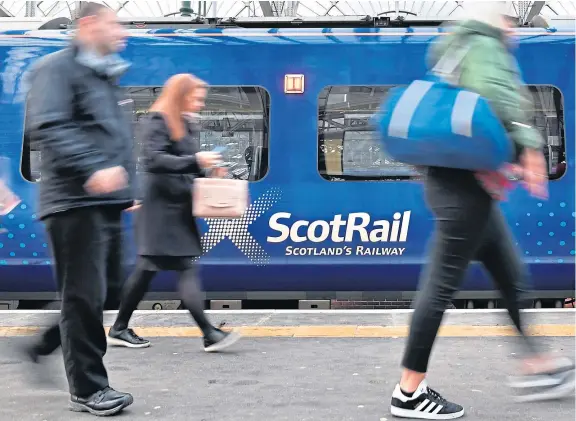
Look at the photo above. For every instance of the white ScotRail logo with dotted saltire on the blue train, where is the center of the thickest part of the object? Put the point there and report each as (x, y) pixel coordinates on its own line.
(355, 234)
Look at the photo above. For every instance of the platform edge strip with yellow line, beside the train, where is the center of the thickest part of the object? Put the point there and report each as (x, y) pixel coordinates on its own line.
(314, 323)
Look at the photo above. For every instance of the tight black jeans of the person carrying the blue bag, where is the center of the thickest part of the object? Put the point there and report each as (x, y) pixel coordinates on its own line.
(469, 225)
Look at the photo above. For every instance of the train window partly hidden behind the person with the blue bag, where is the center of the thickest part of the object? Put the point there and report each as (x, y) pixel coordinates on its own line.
(348, 148)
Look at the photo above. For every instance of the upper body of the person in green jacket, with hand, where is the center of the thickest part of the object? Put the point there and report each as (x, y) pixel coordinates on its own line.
(490, 70)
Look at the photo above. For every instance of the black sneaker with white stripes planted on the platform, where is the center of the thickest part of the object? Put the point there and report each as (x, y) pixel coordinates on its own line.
(424, 404)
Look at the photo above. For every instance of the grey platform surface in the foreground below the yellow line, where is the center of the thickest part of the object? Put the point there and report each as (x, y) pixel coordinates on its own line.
(283, 379)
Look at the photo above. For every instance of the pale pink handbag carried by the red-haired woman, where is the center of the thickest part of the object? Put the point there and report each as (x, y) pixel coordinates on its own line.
(219, 198)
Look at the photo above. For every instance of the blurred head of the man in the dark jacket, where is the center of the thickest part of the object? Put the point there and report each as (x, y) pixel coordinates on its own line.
(98, 28)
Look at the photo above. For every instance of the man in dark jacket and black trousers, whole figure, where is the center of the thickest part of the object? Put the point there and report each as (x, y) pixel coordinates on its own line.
(87, 170)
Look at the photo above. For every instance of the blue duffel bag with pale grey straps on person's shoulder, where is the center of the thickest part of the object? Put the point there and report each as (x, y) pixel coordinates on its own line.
(433, 122)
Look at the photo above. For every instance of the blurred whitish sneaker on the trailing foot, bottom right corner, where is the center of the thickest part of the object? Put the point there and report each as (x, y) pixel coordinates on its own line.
(556, 383)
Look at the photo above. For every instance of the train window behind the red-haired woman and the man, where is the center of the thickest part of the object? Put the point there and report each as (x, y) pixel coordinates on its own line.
(235, 116)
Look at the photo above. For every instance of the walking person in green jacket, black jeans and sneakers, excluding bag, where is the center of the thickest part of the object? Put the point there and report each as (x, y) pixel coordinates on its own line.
(469, 224)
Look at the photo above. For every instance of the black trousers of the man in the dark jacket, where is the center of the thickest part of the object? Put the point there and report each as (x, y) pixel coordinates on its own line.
(86, 244)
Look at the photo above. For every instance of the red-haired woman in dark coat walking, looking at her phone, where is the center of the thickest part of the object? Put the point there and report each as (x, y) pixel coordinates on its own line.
(166, 231)
